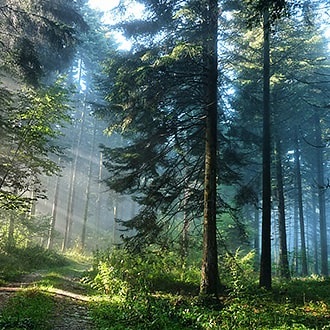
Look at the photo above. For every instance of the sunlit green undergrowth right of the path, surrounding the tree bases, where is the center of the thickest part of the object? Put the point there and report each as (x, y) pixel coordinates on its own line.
(155, 291)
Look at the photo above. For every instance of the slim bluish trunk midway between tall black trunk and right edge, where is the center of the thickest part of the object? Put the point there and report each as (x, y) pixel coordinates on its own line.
(304, 270)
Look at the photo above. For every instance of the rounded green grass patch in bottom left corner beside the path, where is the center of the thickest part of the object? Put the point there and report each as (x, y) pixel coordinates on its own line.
(27, 309)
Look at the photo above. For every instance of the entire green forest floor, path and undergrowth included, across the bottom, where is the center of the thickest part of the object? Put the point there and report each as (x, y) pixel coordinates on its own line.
(56, 297)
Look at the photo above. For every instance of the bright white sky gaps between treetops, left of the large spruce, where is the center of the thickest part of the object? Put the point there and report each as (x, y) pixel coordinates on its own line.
(134, 11)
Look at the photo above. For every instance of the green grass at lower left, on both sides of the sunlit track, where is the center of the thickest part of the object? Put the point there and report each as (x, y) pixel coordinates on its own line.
(34, 307)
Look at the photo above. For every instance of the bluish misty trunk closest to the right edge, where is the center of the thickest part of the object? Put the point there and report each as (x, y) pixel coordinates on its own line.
(321, 196)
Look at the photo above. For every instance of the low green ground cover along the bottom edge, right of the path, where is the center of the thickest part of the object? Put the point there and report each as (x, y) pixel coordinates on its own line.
(252, 310)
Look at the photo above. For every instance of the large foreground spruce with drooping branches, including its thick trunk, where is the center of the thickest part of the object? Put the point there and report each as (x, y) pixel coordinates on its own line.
(163, 98)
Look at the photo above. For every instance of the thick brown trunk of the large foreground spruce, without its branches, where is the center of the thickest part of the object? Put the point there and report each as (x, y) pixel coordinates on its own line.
(210, 283)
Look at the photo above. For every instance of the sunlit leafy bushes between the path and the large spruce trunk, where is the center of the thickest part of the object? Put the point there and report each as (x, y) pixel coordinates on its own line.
(121, 273)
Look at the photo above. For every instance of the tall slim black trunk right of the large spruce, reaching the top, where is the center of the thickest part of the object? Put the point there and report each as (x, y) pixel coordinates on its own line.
(265, 279)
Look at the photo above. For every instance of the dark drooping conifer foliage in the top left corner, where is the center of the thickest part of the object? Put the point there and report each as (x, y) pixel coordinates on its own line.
(38, 37)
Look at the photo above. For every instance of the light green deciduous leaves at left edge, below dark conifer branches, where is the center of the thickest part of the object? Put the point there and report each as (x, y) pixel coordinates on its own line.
(32, 122)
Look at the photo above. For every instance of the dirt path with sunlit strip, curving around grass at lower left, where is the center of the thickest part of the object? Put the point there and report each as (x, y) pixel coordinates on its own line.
(71, 310)
